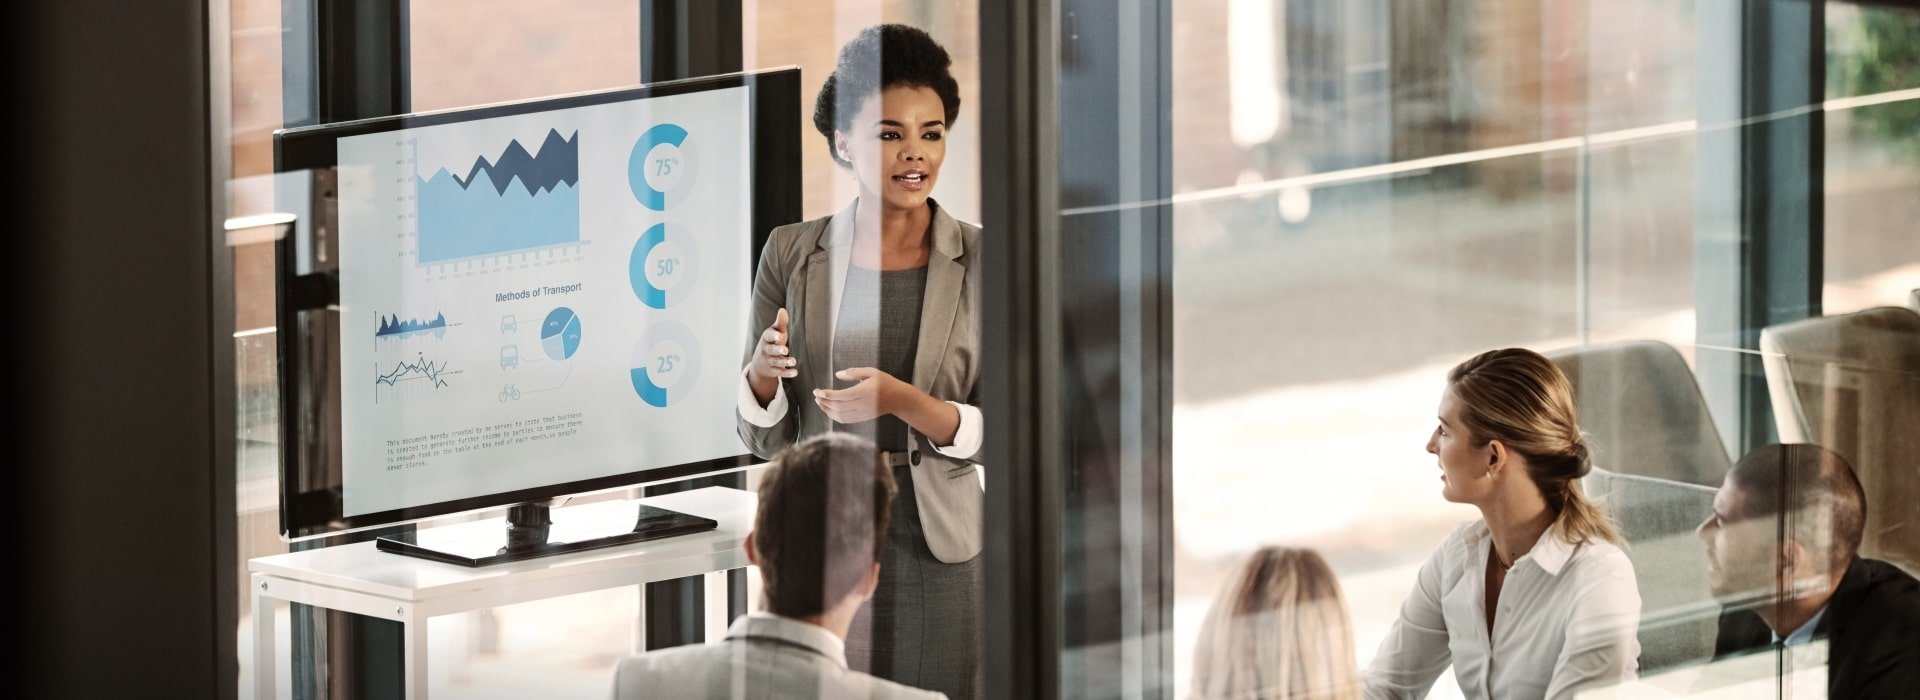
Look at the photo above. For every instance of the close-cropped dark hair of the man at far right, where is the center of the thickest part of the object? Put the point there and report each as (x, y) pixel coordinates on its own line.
(1813, 490)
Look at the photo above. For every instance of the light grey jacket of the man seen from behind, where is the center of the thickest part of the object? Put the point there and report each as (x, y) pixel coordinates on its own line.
(763, 657)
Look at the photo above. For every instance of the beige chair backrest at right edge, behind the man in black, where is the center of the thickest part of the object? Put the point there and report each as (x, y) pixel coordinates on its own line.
(1852, 385)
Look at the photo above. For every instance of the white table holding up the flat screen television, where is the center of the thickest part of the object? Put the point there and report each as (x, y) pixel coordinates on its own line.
(362, 580)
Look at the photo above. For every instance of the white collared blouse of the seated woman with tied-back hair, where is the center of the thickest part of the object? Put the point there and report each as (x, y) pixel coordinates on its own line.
(1568, 622)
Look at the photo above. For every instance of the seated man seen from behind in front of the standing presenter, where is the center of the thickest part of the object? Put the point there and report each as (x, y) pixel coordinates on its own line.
(817, 538)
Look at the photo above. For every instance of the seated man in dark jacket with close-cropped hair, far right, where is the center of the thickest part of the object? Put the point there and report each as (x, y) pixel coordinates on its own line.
(1781, 549)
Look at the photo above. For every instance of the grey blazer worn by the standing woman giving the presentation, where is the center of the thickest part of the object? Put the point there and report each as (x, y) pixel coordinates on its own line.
(802, 269)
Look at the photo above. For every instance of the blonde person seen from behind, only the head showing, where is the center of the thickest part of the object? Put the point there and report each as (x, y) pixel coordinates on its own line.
(1278, 630)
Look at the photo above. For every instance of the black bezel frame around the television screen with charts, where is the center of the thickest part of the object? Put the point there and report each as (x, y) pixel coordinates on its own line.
(775, 147)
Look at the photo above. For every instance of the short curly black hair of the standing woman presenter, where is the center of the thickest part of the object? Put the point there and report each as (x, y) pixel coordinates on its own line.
(880, 58)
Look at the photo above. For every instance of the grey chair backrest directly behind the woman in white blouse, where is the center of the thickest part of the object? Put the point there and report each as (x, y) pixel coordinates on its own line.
(1644, 413)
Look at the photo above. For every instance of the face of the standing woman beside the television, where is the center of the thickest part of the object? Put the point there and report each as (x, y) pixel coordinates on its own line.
(898, 145)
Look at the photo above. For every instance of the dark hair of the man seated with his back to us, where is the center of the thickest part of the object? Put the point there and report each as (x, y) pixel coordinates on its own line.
(823, 523)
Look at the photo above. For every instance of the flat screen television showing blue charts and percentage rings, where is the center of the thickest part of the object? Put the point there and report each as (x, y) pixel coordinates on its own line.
(512, 304)
